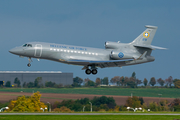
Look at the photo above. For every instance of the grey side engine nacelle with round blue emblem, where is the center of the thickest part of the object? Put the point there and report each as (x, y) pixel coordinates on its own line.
(117, 55)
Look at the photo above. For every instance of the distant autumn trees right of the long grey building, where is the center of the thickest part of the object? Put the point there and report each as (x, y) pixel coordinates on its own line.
(131, 82)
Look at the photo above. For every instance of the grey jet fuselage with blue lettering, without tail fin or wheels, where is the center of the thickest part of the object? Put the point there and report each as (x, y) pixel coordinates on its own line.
(65, 53)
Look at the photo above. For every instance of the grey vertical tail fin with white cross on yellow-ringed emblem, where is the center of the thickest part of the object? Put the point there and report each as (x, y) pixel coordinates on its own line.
(146, 37)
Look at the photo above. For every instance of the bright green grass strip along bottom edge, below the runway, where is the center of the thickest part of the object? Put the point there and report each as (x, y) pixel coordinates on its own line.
(88, 117)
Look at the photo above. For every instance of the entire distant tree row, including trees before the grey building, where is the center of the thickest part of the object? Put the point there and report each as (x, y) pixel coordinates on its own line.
(119, 81)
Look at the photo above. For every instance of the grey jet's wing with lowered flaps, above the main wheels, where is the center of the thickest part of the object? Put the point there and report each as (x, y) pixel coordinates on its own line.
(102, 64)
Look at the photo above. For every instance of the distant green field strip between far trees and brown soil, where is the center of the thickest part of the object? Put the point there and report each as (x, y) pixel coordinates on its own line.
(144, 92)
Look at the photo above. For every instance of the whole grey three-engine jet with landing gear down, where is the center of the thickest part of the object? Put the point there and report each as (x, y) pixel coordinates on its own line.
(115, 54)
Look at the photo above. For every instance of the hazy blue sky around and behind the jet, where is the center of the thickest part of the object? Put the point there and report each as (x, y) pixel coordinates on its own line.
(91, 23)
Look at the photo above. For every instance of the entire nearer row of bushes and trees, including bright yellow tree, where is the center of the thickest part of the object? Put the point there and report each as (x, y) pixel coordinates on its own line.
(33, 104)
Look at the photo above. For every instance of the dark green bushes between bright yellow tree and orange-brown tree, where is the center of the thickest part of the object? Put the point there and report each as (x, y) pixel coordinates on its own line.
(102, 103)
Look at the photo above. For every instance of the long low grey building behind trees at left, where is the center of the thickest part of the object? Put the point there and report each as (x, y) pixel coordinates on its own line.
(29, 76)
